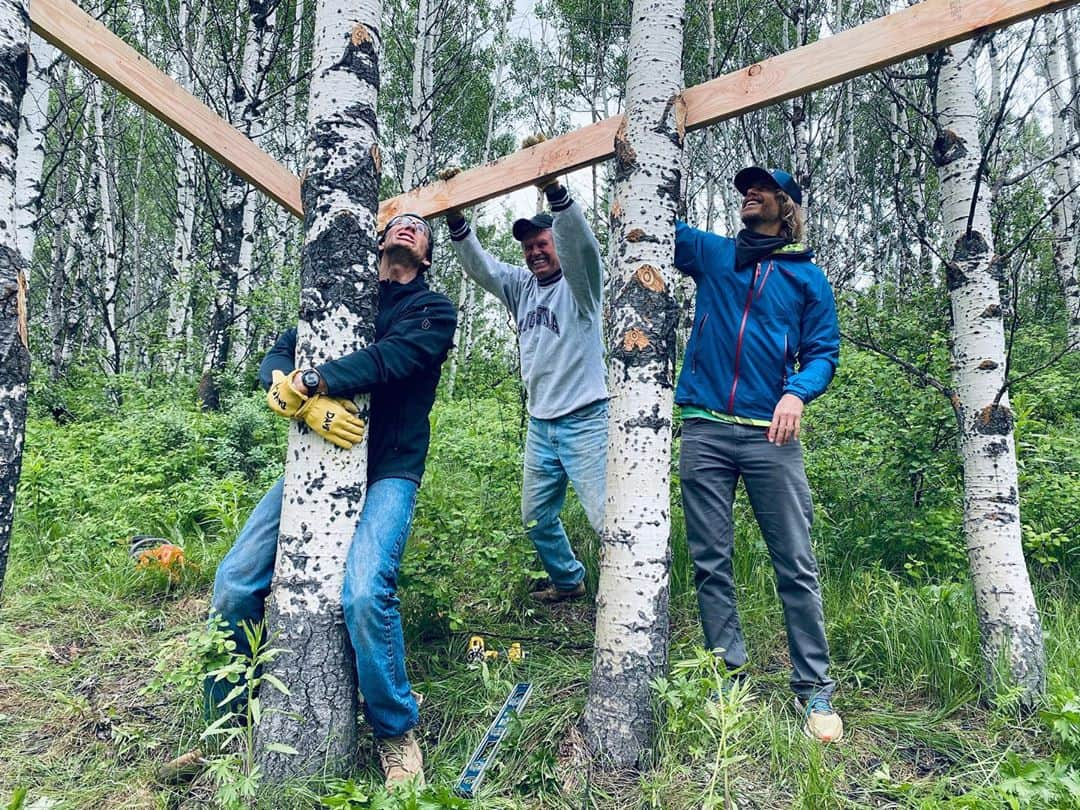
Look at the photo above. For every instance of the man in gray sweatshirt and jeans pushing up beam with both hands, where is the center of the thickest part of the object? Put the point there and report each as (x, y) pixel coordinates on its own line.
(556, 301)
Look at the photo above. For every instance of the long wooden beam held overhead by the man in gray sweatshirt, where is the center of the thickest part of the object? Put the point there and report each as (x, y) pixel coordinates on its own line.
(915, 31)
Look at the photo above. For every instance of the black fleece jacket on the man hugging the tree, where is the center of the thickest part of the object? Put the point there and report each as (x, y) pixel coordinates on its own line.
(414, 331)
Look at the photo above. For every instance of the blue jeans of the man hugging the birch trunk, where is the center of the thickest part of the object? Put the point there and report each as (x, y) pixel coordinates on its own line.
(368, 598)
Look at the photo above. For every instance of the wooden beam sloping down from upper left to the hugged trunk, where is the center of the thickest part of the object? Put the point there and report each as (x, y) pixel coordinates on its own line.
(102, 52)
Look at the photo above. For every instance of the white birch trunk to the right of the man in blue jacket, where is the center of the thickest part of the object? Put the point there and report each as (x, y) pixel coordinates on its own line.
(1009, 622)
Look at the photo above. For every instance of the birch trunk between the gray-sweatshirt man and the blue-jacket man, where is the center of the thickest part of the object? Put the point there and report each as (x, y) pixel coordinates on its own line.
(632, 627)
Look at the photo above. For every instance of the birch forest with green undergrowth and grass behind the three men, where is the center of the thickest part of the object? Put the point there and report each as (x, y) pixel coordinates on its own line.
(158, 279)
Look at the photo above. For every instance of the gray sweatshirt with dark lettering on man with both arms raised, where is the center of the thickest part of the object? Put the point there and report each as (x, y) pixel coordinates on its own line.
(559, 319)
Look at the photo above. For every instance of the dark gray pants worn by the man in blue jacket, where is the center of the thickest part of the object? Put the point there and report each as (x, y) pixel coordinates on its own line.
(714, 456)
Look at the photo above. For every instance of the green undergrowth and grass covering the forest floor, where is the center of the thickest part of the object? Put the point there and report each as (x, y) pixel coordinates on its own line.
(100, 680)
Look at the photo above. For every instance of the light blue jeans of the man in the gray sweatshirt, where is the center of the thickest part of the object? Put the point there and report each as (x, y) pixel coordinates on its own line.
(571, 448)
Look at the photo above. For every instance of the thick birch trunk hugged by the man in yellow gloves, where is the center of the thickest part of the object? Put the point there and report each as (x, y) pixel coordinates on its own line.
(326, 487)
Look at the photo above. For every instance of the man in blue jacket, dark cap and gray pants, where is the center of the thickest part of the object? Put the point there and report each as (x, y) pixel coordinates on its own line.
(765, 343)
